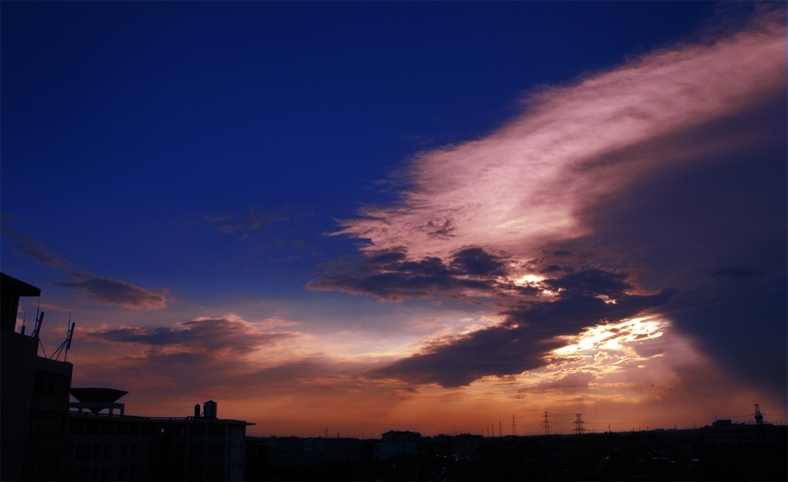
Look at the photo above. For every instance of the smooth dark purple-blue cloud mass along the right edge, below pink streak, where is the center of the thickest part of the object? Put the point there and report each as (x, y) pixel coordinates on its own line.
(716, 229)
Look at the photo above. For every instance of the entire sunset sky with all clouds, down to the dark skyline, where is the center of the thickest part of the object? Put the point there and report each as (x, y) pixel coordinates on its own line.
(364, 216)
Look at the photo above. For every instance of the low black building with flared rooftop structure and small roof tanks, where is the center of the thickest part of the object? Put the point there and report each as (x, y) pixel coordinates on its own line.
(104, 445)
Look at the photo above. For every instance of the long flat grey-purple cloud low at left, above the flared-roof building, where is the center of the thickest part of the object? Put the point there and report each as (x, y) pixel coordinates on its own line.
(202, 335)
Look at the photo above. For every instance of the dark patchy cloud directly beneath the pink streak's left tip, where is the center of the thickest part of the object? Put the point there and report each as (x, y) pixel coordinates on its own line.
(387, 275)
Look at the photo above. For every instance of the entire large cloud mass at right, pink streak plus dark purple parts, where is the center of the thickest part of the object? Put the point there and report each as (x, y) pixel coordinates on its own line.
(655, 187)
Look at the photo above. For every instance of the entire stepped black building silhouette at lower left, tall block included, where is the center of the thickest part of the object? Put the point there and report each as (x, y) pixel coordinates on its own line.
(45, 437)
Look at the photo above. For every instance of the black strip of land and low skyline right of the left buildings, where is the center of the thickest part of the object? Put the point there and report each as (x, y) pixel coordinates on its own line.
(654, 455)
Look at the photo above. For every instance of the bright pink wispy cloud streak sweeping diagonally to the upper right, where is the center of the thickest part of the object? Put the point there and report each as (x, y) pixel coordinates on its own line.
(530, 182)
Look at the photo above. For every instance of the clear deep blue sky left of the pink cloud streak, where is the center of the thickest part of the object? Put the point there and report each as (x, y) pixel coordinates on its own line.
(133, 122)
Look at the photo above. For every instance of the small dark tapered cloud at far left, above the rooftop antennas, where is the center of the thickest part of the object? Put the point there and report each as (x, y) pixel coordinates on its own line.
(114, 292)
